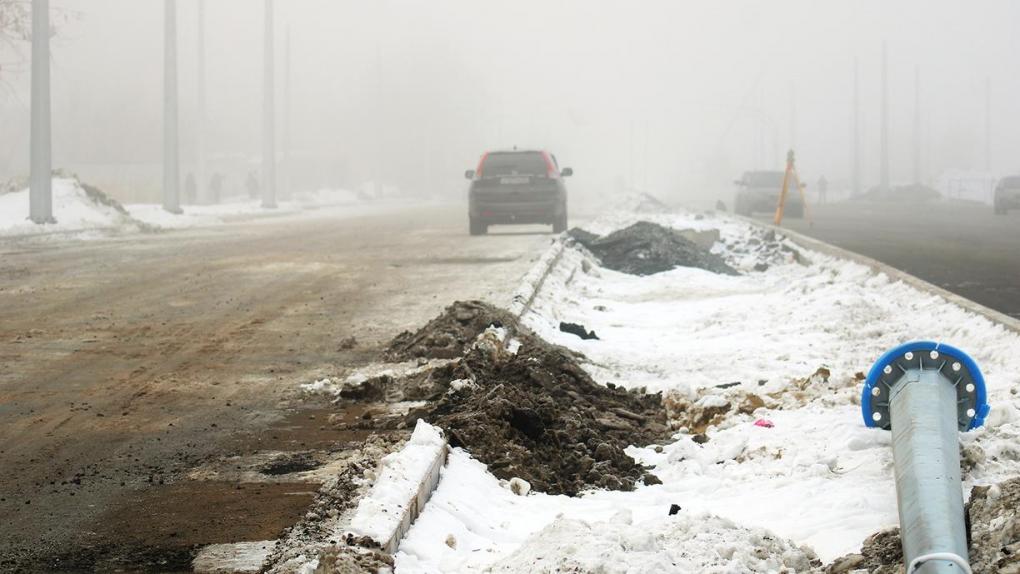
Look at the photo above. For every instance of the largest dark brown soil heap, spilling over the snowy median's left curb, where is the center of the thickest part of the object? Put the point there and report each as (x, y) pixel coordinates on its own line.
(537, 415)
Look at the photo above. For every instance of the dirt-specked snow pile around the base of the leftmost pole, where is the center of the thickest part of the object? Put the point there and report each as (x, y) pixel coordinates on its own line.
(76, 208)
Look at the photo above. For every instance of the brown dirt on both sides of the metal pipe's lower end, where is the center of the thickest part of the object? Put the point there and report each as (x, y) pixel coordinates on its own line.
(994, 533)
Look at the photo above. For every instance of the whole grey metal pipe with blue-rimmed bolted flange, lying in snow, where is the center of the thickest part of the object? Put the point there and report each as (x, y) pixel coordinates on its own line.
(927, 393)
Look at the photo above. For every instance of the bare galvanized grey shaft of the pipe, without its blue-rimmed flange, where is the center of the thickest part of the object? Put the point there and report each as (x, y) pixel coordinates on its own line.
(926, 450)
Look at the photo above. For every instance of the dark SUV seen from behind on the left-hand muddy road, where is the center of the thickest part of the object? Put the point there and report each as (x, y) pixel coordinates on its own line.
(518, 187)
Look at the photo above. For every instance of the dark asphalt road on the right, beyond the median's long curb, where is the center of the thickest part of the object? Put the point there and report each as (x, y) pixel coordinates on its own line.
(961, 247)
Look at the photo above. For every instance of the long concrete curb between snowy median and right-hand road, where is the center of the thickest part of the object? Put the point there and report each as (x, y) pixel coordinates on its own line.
(805, 242)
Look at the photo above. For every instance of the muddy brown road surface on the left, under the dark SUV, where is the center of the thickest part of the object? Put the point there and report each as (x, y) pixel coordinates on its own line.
(125, 362)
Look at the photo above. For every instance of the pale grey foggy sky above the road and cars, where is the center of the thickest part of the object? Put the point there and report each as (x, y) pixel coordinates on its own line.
(673, 97)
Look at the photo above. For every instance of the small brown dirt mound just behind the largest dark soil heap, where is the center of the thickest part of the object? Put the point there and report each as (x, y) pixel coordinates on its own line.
(449, 336)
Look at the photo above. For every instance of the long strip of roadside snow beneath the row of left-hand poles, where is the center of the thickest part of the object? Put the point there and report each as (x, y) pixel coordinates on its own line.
(87, 214)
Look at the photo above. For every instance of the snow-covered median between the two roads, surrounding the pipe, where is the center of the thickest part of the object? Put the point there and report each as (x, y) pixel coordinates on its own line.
(797, 337)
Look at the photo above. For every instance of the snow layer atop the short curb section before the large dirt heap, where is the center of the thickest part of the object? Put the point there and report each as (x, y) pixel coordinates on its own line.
(381, 513)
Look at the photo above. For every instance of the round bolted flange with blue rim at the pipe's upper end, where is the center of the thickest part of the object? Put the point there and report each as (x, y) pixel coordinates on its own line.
(954, 364)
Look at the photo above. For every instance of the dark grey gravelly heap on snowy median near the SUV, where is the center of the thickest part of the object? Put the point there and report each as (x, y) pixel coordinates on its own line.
(646, 249)
